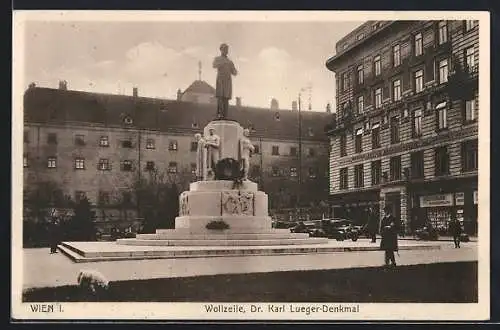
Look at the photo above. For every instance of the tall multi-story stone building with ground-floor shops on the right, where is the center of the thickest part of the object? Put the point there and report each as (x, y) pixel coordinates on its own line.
(406, 132)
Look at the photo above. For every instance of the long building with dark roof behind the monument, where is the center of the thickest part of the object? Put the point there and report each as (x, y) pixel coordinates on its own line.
(97, 145)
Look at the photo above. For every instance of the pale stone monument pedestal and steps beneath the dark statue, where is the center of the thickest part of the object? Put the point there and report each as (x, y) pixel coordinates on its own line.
(223, 212)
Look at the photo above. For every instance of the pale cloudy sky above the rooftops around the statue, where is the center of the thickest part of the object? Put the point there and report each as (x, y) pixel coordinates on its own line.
(273, 59)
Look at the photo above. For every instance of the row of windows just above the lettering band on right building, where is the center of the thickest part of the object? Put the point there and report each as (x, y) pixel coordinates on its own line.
(441, 123)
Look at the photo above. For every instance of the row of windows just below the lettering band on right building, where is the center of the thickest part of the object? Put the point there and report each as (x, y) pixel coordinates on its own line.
(469, 156)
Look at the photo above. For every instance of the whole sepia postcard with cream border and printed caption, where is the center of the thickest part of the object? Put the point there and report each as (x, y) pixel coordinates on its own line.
(198, 165)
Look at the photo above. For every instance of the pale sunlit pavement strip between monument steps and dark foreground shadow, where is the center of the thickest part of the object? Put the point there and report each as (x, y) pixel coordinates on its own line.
(42, 269)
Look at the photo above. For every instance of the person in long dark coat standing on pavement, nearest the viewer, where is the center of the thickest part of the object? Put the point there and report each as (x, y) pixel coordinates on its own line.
(389, 229)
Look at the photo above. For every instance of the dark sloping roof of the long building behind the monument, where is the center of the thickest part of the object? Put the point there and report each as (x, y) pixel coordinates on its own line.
(54, 106)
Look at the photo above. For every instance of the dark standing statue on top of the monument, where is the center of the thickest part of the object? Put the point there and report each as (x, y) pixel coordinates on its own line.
(224, 87)
